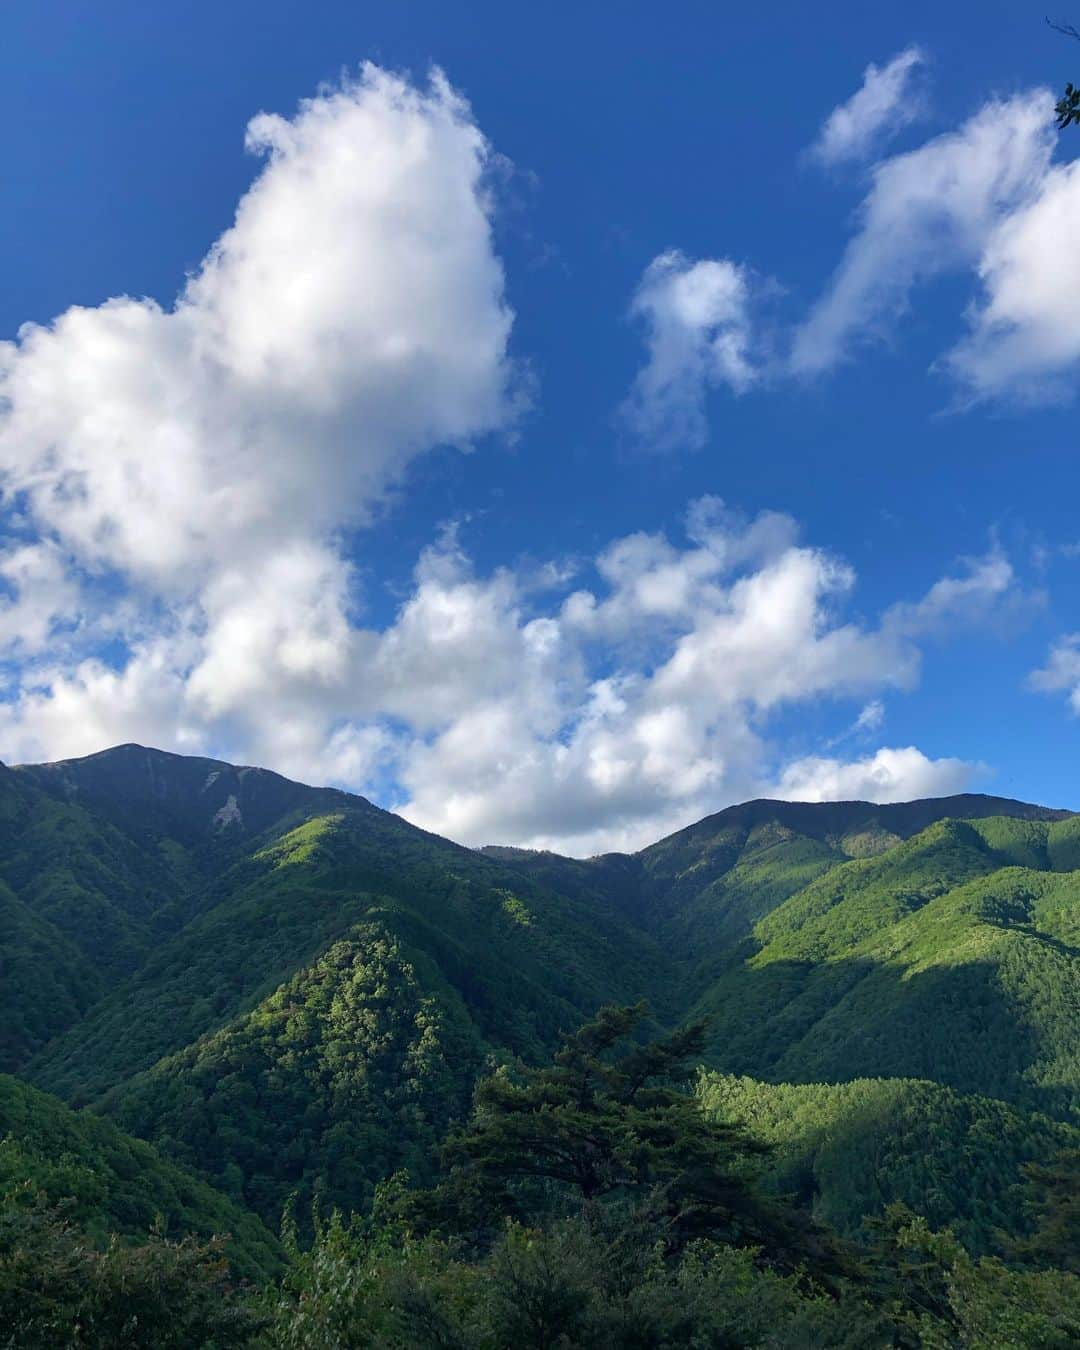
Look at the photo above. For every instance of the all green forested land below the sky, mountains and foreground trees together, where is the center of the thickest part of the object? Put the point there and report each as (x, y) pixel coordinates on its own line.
(281, 1070)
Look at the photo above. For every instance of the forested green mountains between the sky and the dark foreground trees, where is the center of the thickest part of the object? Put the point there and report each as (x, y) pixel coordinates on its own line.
(292, 994)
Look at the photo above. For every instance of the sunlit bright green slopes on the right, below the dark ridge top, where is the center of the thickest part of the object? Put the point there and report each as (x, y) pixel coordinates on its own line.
(932, 961)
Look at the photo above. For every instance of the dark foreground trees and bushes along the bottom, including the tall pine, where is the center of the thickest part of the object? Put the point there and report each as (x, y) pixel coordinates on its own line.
(584, 1205)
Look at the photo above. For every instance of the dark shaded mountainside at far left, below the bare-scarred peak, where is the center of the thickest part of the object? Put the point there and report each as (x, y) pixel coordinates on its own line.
(106, 858)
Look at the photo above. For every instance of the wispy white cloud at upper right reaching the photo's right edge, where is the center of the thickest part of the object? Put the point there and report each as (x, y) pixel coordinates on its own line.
(986, 200)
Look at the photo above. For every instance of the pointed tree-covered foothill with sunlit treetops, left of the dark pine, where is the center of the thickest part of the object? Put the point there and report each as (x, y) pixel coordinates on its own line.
(350, 1071)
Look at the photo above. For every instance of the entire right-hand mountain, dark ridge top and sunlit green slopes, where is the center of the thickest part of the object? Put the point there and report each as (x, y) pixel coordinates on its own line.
(846, 940)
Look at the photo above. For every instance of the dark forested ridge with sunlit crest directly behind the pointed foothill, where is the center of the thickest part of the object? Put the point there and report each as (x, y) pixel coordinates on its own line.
(527, 961)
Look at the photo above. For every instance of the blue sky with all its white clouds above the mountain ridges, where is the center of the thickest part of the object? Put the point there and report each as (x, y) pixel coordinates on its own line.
(331, 512)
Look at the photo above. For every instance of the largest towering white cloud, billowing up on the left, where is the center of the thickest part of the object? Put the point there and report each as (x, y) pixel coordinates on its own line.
(202, 460)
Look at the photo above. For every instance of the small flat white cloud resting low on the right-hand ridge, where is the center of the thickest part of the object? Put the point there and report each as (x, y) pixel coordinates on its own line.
(889, 776)
